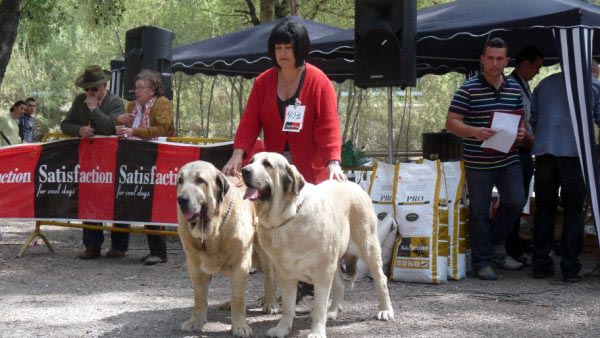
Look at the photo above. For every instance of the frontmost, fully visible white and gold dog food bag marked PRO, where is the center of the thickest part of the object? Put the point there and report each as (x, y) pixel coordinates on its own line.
(420, 252)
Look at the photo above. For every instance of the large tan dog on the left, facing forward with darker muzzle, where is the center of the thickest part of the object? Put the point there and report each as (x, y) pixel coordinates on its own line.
(217, 230)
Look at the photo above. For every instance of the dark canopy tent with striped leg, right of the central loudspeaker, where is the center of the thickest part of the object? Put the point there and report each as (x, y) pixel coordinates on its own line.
(451, 36)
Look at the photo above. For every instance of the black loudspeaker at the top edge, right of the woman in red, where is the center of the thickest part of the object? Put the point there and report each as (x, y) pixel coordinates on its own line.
(384, 32)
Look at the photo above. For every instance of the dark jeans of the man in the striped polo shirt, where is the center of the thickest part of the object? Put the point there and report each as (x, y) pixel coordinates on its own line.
(484, 235)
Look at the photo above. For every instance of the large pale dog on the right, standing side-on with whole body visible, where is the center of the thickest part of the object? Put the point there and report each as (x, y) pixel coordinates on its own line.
(306, 229)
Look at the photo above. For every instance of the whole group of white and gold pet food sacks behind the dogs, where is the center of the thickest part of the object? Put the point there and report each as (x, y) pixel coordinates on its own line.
(426, 201)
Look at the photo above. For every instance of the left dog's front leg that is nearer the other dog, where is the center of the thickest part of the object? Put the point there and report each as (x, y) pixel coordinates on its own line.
(238, 280)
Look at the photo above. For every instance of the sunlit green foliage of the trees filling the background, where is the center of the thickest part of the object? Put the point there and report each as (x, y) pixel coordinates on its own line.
(58, 38)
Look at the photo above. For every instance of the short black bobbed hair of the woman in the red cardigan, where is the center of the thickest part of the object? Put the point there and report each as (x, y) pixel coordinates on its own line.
(289, 31)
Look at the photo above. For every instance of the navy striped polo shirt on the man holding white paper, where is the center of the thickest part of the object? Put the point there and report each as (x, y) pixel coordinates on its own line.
(477, 100)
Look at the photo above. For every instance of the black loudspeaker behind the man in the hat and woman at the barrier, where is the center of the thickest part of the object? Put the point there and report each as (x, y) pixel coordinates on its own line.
(148, 47)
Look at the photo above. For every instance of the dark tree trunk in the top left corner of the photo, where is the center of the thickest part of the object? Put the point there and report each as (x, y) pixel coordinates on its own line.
(10, 14)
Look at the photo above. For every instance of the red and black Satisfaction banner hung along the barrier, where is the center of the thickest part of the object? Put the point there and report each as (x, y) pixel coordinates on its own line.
(98, 179)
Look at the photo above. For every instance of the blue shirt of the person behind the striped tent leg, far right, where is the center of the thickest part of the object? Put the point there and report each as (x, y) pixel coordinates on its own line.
(551, 118)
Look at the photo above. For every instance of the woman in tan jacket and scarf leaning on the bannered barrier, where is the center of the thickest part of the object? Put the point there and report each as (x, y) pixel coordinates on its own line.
(148, 117)
